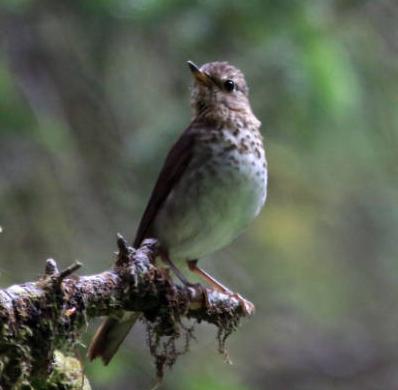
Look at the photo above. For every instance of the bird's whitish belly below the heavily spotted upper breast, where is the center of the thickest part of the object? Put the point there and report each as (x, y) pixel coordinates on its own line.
(211, 206)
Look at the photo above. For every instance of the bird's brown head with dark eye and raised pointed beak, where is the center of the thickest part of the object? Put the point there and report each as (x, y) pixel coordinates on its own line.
(220, 88)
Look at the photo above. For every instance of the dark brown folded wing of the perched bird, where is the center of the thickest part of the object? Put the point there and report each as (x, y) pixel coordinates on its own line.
(177, 160)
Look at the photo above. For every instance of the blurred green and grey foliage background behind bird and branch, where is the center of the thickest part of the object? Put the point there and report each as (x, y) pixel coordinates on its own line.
(92, 95)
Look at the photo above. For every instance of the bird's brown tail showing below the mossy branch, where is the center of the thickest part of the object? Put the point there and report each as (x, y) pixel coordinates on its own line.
(110, 335)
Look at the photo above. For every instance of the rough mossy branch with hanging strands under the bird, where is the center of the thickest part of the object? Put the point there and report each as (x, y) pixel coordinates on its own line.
(38, 318)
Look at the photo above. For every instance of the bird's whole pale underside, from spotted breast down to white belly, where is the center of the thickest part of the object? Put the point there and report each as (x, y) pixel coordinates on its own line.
(221, 191)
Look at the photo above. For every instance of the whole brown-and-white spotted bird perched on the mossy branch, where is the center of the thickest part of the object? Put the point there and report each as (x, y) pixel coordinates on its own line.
(213, 183)
